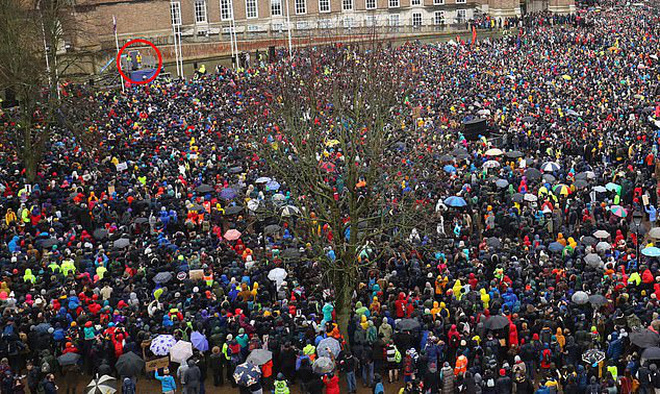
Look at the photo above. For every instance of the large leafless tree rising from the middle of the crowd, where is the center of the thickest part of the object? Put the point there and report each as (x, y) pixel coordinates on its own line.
(336, 139)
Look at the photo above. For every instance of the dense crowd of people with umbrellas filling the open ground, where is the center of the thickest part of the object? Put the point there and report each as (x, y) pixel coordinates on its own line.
(541, 273)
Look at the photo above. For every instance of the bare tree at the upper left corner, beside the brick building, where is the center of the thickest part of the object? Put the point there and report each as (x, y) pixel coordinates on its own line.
(32, 34)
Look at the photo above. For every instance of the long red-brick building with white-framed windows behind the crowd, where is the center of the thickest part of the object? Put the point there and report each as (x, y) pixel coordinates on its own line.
(205, 25)
